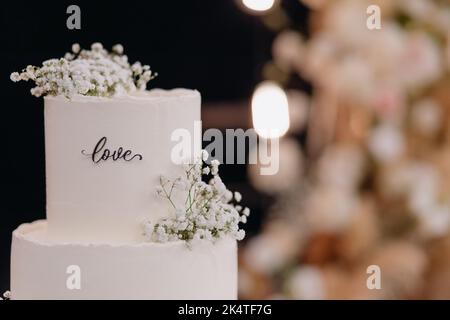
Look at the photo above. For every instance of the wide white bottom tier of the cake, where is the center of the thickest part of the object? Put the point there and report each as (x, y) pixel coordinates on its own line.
(41, 269)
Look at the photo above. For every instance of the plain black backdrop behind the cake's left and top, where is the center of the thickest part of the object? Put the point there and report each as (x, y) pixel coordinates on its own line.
(211, 46)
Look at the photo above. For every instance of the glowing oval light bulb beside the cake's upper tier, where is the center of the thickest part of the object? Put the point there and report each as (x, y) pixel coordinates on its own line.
(270, 110)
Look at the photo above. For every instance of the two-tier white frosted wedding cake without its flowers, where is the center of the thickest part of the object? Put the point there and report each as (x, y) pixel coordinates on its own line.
(104, 158)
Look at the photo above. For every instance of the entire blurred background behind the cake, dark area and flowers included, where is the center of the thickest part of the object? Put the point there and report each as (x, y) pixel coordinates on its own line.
(364, 173)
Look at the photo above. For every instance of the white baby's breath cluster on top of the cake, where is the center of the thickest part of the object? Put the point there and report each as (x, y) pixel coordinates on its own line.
(94, 72)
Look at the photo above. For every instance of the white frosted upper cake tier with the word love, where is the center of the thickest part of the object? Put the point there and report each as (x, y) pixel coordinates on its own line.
(105, 202)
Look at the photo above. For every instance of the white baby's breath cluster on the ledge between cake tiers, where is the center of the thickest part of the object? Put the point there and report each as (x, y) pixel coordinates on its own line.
(210, 211)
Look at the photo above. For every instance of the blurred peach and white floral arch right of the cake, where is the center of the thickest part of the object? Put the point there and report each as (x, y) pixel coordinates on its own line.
(373, 182)
